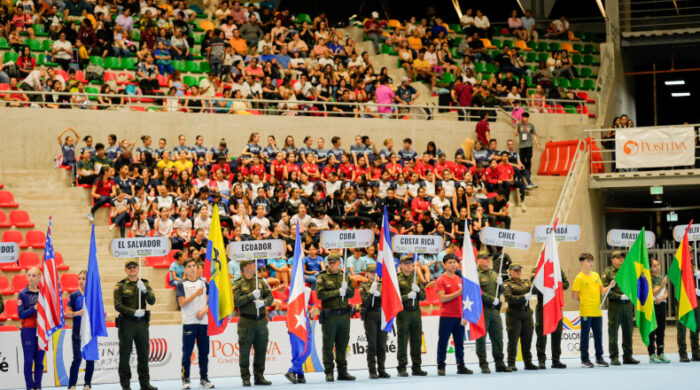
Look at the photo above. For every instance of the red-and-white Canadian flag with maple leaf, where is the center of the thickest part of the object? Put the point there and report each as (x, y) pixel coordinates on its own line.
(548, 281)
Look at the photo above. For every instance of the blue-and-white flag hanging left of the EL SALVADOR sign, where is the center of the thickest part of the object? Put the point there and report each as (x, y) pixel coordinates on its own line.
(92, 323)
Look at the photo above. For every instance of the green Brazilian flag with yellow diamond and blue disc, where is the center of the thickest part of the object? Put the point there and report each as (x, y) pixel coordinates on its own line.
(634, 280)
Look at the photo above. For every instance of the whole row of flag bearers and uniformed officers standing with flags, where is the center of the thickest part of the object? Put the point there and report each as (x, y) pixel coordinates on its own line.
(469, 291)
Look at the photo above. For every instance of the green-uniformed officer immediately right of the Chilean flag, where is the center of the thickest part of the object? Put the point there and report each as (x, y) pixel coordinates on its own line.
(490, 282)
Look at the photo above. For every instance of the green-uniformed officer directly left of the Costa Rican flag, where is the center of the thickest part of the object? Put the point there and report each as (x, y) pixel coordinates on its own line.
(371, 294)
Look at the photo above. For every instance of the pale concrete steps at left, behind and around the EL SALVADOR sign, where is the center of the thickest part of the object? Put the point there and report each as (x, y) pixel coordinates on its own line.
(45, 192)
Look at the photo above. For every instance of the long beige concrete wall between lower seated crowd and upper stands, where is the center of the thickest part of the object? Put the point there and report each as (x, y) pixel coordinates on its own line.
(29, 135)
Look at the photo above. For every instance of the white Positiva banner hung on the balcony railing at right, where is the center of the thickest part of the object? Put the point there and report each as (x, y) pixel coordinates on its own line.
(651, 147)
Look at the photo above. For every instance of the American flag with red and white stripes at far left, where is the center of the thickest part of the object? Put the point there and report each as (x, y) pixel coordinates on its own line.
(50, 307)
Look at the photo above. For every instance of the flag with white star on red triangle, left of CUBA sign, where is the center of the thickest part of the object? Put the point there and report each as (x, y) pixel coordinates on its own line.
(298, 324)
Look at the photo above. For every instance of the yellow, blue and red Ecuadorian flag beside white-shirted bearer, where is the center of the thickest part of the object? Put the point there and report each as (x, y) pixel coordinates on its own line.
(216, 273)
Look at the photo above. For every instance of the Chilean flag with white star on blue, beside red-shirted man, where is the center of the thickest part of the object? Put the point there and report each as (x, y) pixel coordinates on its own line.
(472, 306)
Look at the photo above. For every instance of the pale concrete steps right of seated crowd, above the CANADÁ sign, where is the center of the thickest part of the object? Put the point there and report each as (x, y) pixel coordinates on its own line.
(540, 204)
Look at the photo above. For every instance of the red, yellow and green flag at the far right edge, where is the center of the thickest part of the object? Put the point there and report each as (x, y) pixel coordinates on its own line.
(680, 273)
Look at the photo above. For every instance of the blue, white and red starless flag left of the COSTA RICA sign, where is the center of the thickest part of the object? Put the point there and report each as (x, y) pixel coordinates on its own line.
(386, 270)
